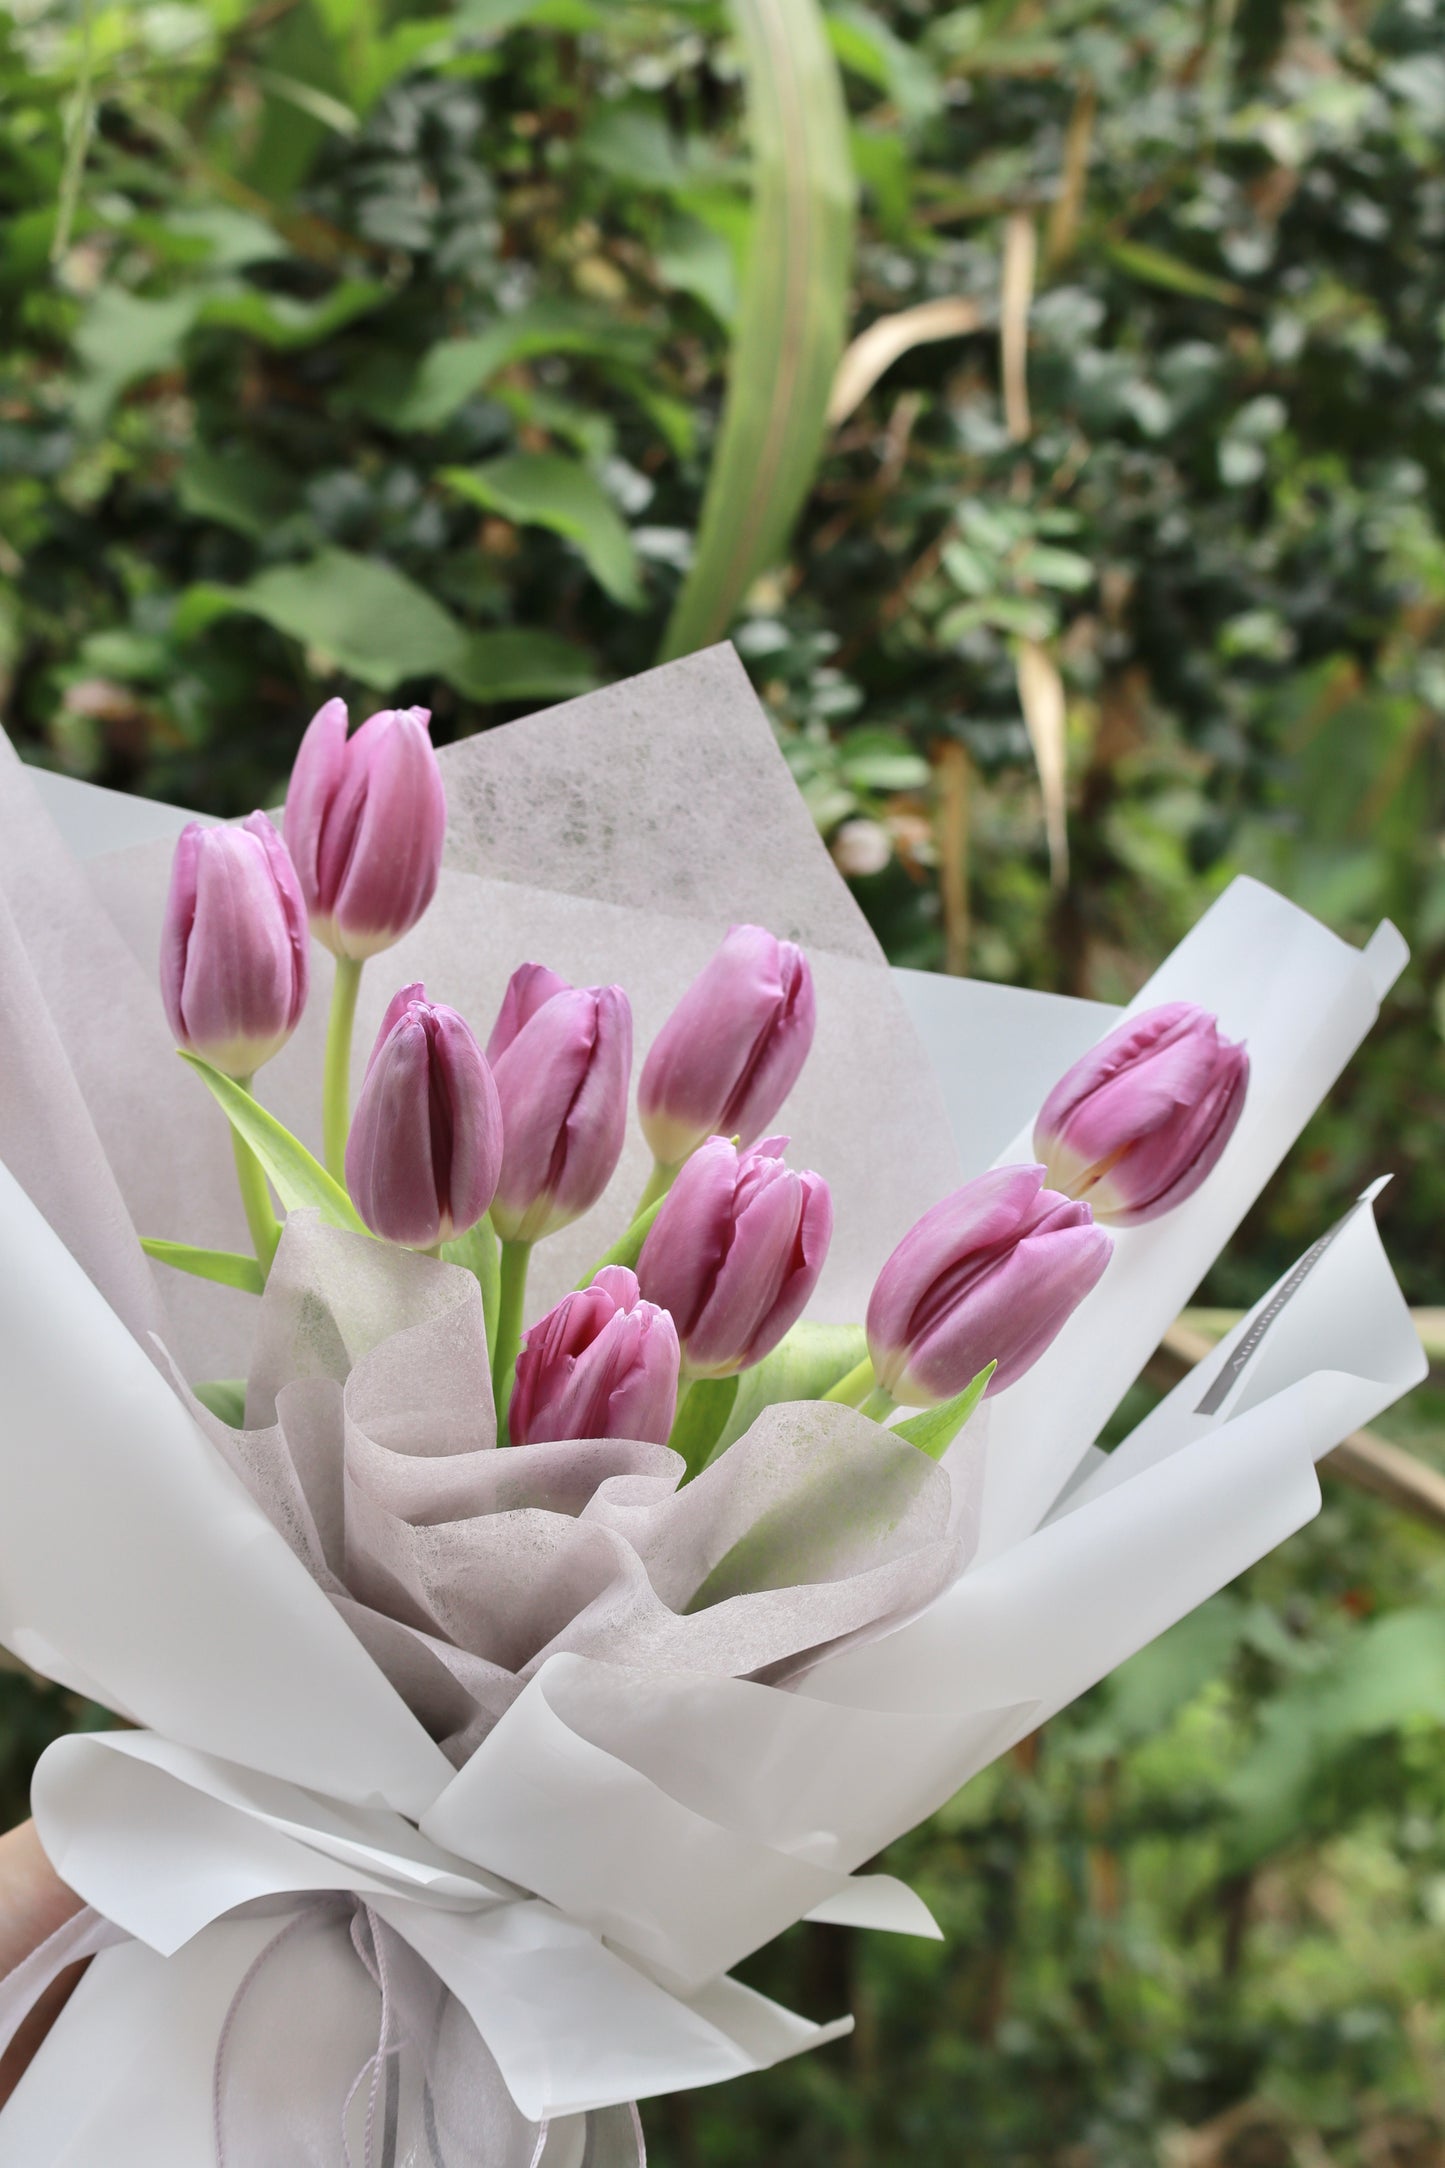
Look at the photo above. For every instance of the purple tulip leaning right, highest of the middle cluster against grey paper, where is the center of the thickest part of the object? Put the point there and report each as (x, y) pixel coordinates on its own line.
(731, 1053)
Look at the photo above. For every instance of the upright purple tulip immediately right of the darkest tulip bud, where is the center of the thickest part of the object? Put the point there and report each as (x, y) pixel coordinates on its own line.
(562, 1061)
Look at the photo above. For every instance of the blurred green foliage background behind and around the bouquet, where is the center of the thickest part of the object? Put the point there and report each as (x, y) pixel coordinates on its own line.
(378, 350)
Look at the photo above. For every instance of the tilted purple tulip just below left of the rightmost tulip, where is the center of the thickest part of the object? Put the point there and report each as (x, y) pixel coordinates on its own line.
(989, 1276)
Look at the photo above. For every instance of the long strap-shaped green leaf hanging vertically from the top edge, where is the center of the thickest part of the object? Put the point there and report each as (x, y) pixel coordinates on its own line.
(792, 318)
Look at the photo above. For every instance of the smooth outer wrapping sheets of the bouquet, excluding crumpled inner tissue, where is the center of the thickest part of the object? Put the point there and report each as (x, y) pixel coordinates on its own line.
(621, 1837)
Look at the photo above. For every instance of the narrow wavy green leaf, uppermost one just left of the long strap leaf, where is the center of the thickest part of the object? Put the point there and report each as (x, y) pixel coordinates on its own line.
(458, 367)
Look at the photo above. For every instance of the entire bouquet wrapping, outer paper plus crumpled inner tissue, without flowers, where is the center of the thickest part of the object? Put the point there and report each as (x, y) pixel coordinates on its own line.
(463, 1779)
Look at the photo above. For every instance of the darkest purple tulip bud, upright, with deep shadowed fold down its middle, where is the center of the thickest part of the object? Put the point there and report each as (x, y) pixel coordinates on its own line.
(428, 1135)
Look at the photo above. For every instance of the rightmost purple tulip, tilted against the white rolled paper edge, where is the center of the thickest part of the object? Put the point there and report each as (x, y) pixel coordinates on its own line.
(1145, 1115)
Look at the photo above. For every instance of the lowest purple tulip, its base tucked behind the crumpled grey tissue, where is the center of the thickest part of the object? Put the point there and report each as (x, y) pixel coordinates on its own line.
(603, 1365)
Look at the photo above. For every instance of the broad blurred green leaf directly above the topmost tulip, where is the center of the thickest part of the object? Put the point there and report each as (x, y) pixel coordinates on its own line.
(367, 617)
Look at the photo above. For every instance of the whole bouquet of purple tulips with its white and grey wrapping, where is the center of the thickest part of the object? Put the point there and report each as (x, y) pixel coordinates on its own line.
(543, 1543)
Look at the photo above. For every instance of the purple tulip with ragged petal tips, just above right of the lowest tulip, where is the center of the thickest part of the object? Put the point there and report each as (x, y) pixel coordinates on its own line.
(735, 1254)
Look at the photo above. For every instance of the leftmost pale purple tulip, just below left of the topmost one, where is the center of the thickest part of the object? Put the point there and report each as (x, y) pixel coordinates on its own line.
(235, 962)
